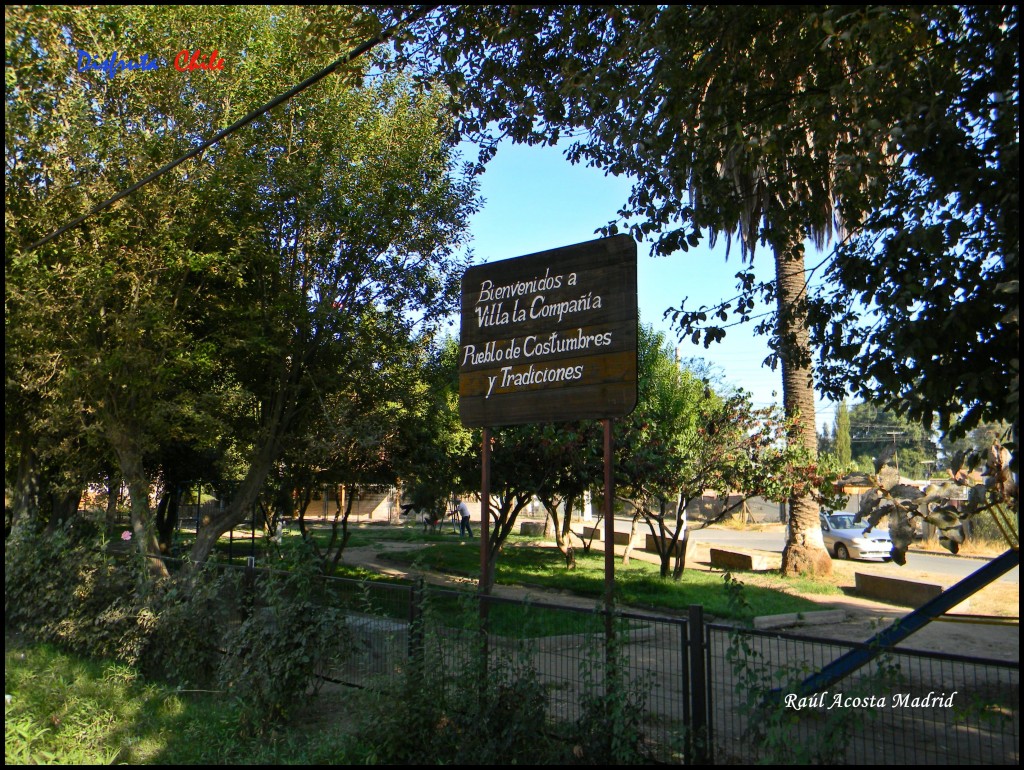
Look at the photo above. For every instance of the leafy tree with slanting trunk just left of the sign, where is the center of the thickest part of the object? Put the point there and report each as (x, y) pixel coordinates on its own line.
(352, 247)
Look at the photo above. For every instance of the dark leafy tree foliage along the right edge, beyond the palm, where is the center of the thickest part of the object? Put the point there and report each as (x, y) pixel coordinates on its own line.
(924, 319)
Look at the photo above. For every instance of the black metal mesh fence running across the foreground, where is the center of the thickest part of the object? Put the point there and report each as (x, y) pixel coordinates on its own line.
(709, 693)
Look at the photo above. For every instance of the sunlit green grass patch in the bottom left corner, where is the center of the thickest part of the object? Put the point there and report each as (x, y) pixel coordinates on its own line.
(62, 709)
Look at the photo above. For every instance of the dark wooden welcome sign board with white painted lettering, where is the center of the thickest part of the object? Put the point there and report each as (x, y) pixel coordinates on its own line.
(550, 336)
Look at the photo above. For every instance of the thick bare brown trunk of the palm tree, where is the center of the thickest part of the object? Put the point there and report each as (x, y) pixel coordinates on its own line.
(805, 551)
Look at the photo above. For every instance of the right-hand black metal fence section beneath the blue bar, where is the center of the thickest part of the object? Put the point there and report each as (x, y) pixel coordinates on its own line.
(904, 708)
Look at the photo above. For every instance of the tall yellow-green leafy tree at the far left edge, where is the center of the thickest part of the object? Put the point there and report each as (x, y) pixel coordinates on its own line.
(108, 312)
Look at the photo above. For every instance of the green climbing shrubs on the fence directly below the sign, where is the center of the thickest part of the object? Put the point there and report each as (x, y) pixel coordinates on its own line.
(486, 709)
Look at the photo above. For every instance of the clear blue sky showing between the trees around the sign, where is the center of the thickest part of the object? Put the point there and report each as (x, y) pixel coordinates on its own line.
(535, 200)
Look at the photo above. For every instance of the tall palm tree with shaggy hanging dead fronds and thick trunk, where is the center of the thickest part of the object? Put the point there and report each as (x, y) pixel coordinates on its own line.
(749, 131)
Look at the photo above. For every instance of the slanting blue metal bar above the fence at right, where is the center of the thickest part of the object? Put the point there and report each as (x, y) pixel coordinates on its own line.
(902, 629)
